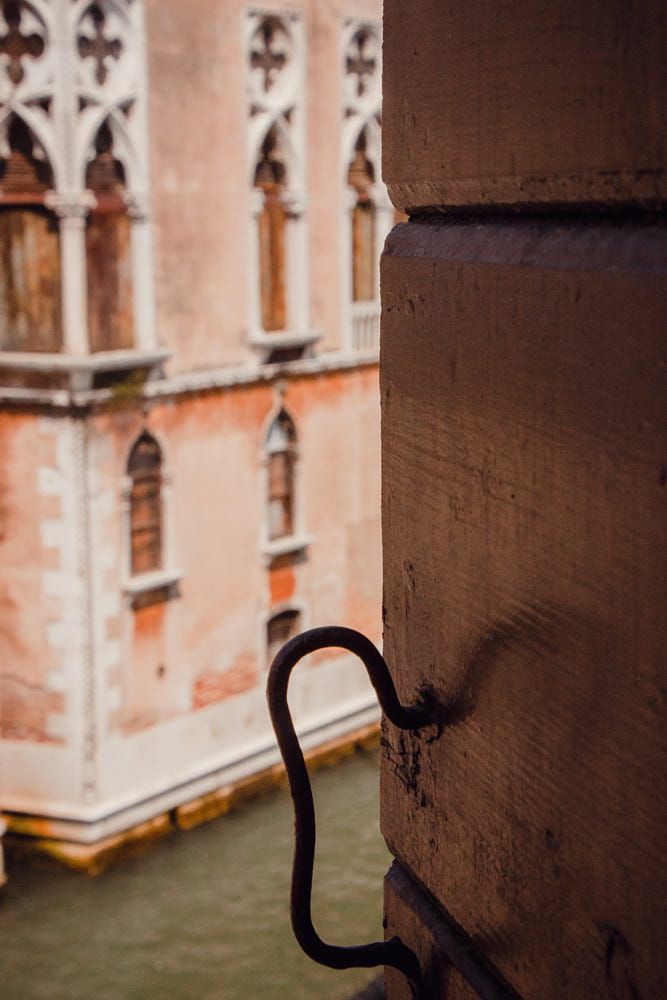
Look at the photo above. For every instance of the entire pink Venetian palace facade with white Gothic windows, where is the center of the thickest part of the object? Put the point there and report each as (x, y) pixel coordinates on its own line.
(191, 215)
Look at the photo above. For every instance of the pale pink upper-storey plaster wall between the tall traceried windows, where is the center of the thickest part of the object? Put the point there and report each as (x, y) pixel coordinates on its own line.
(198, 127)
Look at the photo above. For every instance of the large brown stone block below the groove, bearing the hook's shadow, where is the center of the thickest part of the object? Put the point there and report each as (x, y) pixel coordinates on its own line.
(523, 496)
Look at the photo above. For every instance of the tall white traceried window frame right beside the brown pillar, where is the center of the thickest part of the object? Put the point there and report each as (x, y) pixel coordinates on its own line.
(361, 320)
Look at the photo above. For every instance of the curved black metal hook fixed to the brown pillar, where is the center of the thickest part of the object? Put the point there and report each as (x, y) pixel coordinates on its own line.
(392, 952)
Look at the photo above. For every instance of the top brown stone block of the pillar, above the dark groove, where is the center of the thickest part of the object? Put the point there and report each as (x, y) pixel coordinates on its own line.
(535, 102)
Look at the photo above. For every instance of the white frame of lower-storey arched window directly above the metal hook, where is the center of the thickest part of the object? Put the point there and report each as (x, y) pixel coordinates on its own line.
(297, 543)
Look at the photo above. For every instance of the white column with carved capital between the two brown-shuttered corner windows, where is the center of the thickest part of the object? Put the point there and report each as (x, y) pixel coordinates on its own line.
(72, 212)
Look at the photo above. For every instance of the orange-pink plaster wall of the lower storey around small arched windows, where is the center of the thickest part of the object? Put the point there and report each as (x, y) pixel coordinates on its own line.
(209, 643)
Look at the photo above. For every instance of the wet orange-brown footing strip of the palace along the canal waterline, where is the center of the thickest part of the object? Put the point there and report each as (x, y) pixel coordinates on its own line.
(24, 843)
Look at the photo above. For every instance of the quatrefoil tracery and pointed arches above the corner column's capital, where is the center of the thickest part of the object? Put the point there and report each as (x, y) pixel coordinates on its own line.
(66, 91)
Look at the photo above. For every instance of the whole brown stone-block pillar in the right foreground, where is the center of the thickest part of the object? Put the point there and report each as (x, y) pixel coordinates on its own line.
(523, 442)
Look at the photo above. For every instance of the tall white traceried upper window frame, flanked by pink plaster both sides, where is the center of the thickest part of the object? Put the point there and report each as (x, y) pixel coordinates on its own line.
(284, 108)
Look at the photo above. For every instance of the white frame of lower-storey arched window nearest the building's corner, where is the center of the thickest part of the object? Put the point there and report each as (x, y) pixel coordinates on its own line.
(138, 586)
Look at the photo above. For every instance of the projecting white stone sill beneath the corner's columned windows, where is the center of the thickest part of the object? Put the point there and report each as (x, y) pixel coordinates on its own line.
(77, 372)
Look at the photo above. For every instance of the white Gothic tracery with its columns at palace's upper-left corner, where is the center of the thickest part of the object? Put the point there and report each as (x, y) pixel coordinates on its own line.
(65, 103)
